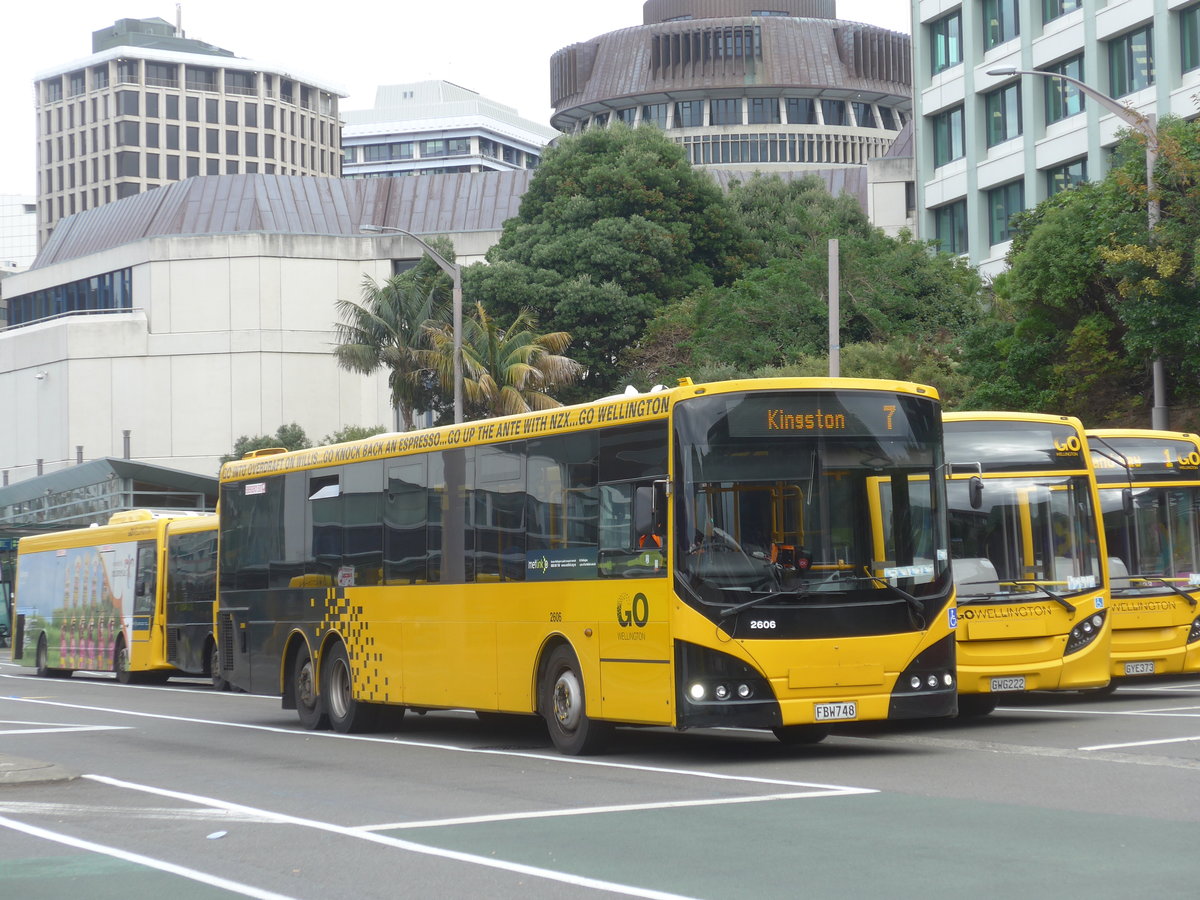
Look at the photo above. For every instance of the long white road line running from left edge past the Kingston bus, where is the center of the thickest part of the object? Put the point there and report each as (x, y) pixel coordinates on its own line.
(431, 746)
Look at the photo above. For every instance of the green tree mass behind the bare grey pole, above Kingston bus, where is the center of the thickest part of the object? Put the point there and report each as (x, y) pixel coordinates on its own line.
(778, 315)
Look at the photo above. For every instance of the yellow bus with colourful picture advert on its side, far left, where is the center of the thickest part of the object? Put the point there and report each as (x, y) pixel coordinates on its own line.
(134, 597)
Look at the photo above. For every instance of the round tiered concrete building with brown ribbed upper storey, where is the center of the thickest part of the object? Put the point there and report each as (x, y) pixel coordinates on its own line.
(775, 85)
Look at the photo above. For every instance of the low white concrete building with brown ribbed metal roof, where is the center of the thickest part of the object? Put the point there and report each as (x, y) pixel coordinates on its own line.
(203, 311)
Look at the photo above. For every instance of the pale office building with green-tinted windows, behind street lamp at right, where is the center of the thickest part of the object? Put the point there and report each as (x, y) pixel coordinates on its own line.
(992, 146)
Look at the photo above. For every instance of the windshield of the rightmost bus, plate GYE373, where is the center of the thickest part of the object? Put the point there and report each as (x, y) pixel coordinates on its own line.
(1161, 538)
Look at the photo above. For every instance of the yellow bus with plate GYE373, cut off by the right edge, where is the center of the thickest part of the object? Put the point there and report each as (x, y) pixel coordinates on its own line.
(1150, 497)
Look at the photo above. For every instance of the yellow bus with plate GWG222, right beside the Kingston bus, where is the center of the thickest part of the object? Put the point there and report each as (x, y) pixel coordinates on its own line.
(1028, 549)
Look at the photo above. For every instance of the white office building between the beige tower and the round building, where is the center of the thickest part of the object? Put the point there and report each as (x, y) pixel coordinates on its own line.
(437, 128)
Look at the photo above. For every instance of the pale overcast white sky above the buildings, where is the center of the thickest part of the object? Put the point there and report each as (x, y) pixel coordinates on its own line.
(501, 51)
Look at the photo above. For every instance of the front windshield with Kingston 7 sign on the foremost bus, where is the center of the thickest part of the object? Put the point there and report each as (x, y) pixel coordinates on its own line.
(809, 497)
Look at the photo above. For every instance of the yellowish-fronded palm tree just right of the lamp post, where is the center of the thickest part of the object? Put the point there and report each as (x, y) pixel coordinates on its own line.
(507, 370)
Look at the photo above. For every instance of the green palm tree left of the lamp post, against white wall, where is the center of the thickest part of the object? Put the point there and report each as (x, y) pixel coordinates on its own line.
(391, 328)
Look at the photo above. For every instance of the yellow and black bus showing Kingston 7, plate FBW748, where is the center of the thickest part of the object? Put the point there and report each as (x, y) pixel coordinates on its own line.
(704, 556)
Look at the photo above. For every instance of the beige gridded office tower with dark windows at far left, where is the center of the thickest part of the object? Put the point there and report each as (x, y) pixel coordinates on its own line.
(151, 107)
